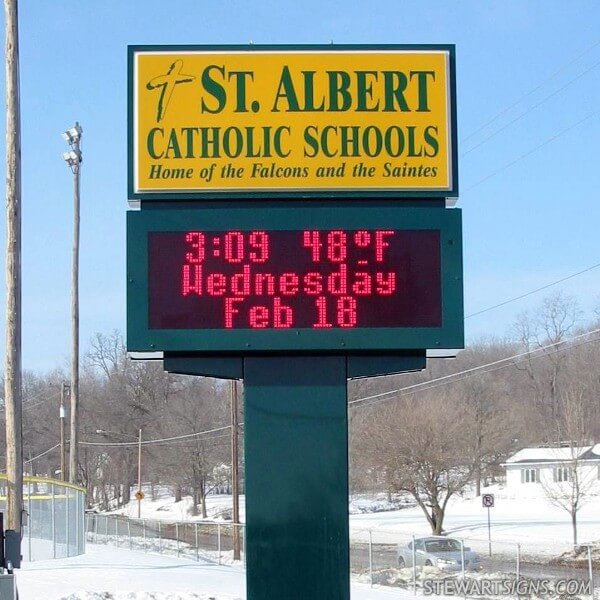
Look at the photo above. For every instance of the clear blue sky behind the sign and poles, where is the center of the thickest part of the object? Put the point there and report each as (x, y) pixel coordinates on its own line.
(529, 190)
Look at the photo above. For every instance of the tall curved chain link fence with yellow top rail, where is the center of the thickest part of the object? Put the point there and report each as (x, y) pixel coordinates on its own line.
(55, 524)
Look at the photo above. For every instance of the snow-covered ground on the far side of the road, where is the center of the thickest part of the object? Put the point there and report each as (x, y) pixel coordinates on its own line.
(538, 526)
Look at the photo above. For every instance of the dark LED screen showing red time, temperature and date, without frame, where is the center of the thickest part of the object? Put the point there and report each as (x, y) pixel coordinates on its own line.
(315, 279)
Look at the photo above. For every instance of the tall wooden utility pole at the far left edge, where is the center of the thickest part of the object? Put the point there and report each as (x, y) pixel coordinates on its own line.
(12, 365)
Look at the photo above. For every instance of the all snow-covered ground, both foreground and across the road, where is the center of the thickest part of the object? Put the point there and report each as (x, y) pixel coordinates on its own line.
(112, 573)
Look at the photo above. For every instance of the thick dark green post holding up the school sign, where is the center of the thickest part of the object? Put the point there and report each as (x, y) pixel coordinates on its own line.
(296, 442)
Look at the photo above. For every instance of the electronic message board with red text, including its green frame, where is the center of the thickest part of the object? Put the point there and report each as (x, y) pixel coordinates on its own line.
(202, 280)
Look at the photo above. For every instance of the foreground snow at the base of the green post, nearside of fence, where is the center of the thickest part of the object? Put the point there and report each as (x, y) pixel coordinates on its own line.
(109, 573)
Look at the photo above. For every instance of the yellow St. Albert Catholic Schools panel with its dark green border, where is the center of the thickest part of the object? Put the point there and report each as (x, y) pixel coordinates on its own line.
(302, 121)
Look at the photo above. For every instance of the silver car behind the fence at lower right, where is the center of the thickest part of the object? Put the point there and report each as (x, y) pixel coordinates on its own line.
(437, 551)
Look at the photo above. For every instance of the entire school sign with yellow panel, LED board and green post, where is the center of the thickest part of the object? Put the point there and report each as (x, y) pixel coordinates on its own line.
(293, 233)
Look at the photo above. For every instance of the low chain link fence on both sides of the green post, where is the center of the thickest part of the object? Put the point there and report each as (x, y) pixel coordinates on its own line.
(386, 558)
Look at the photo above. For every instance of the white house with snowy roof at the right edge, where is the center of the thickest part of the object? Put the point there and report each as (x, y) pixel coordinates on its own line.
(543, 471)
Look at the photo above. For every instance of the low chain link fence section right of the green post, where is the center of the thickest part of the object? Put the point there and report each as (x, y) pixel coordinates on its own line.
(475, 568)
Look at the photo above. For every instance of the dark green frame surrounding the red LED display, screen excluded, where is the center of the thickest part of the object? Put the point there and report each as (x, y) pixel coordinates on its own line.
(140, 338)
